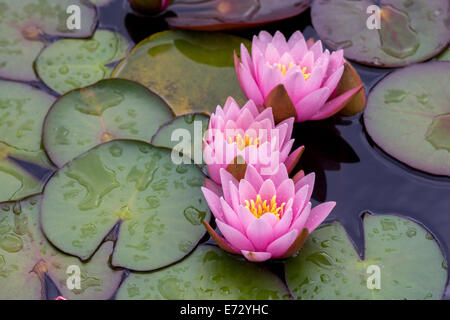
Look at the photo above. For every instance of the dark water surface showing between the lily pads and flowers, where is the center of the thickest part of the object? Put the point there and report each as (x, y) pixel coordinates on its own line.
(350, 169)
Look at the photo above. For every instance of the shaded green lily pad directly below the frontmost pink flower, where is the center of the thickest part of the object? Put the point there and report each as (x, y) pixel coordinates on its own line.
(208, 273)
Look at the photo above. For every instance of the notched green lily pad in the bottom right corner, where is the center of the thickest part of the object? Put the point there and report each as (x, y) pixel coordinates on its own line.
(402, 255)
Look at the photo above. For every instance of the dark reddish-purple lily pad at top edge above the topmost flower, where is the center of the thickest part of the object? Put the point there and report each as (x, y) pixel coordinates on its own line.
(214, 15)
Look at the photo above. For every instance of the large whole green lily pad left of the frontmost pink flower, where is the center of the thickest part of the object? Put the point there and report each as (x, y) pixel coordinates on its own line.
(158, 205)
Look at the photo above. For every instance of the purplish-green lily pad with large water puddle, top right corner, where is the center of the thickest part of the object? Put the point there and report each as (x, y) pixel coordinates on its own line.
(411, 31)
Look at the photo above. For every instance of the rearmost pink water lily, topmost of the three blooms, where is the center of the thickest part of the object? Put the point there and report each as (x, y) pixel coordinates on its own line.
(309, 74)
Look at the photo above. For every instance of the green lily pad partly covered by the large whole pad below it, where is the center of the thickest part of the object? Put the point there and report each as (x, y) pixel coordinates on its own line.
(110, 109)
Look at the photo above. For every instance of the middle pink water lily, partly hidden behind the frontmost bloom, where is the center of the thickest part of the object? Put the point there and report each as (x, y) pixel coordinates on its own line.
(244, 134)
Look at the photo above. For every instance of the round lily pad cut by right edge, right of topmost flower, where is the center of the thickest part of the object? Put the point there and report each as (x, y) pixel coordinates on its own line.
(408, 116)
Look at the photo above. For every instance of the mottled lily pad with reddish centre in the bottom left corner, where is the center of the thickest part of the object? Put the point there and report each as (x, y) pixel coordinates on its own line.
(26, 255)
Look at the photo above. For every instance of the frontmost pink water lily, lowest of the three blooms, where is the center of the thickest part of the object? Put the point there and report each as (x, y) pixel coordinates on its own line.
(263, 218)
